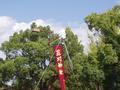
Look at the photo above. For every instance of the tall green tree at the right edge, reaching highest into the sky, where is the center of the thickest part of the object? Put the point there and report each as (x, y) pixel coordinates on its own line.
(107, 24)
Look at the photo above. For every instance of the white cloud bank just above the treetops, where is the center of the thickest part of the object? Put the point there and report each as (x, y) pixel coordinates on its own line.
(9, 25)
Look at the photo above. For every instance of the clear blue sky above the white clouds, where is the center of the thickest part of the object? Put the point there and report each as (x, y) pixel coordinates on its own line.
(64, 11)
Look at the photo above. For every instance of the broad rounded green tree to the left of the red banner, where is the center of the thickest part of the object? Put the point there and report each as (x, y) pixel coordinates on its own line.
(26, 56)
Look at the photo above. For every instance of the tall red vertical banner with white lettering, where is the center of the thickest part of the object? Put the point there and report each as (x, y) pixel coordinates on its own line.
(58, 52)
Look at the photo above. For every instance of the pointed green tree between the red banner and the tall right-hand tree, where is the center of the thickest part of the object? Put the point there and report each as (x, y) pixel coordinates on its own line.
(86, 74)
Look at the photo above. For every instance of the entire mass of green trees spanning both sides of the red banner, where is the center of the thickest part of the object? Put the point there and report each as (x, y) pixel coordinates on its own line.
(30, 64)
